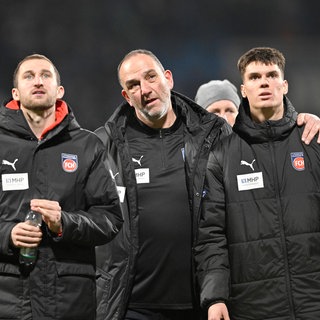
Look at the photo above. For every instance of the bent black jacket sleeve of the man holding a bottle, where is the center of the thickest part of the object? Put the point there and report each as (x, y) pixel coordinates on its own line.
(102, 219)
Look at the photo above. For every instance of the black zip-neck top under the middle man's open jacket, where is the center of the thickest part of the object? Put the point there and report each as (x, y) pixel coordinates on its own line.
(163, 274)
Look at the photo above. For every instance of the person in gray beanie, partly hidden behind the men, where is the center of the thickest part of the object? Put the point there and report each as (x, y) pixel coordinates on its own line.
(219, 97)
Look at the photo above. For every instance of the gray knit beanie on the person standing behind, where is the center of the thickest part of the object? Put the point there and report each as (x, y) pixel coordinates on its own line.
(216, 90)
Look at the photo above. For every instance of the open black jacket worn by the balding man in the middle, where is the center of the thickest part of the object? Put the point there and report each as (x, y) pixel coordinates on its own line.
(116, 261)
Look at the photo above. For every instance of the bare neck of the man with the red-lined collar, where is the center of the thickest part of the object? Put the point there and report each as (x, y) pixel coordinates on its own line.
(39, 119)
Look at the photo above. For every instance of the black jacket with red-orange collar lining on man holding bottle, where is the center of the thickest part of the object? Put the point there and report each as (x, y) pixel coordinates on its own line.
(62, 283)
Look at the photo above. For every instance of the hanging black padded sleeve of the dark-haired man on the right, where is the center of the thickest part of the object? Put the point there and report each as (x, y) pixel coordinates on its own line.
(211, 253)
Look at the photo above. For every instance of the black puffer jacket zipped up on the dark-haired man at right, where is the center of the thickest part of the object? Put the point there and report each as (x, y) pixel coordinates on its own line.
(259, 237)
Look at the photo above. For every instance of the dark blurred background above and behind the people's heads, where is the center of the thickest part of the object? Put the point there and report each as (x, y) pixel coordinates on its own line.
(198, 40)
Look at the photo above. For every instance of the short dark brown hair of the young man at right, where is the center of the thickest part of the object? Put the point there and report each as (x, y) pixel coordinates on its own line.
(265, 55)
